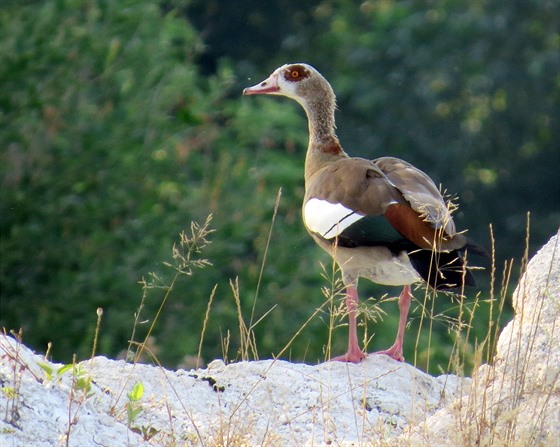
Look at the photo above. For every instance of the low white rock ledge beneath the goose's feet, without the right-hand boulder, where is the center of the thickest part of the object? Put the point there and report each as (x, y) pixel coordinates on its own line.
(272, 403)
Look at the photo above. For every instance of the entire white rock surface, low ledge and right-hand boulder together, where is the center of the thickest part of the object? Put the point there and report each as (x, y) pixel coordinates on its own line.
(515, 402)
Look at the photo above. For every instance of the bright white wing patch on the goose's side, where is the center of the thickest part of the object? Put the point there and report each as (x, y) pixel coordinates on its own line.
(328, 219)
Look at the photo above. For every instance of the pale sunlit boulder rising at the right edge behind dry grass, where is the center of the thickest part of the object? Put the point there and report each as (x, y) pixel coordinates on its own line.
(515, 401)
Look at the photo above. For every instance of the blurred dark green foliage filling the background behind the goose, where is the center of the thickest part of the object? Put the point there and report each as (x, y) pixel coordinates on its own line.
(120, 122)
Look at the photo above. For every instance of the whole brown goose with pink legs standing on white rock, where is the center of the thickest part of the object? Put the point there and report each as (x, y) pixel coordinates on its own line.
(381, 219)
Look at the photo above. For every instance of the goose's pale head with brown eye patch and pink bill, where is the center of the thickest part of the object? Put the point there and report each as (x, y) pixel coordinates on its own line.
(300, 82)
